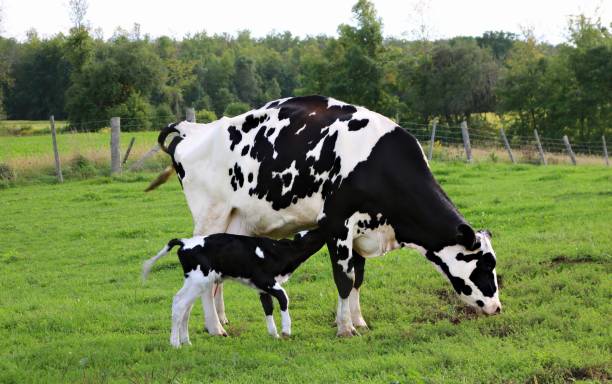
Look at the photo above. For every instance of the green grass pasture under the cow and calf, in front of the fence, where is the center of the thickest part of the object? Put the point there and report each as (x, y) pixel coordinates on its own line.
(73, 308)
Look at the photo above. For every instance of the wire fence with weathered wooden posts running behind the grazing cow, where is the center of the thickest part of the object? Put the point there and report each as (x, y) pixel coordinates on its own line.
(85, 142)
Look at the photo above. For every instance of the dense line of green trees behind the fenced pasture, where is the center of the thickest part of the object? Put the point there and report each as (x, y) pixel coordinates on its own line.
(563, 89)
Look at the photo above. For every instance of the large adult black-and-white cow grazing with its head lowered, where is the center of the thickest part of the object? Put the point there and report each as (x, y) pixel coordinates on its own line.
(302, 162)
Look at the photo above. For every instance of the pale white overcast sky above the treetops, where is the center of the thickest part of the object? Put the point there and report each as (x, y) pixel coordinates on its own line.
(177, 18)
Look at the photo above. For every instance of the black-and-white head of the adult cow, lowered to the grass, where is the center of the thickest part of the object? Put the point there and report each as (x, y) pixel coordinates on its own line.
(470, 267)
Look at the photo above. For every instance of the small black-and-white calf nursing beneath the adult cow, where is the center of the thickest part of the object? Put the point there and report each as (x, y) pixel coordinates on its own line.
(258, 262)
